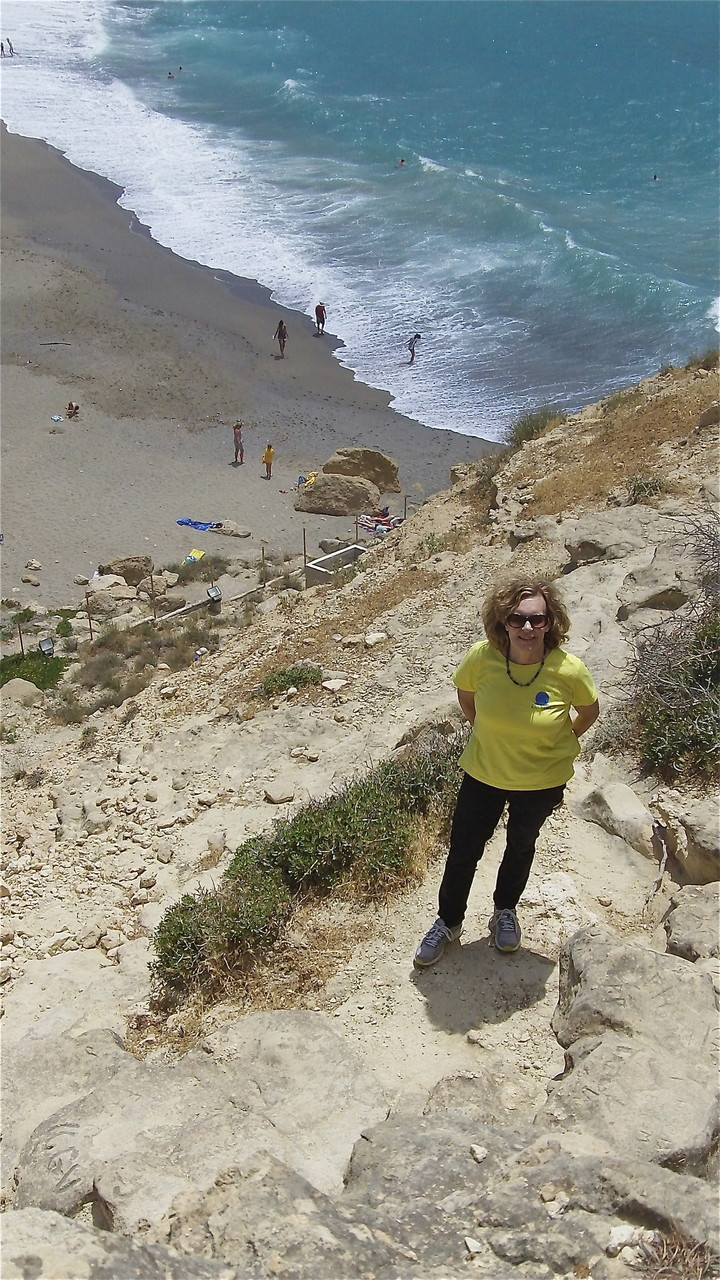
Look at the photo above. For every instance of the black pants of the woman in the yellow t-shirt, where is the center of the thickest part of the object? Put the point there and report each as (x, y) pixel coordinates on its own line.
(477, 815)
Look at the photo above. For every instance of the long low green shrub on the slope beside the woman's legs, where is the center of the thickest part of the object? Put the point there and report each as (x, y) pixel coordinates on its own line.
(362, 835)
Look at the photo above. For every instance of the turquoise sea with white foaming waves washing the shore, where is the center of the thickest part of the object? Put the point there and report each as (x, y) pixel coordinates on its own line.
(553, 234)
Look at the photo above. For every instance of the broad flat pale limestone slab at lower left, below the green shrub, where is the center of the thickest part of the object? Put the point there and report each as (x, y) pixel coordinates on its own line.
(157, 1131)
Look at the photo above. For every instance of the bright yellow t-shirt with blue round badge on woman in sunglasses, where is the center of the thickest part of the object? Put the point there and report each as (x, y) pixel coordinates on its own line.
(522, 739)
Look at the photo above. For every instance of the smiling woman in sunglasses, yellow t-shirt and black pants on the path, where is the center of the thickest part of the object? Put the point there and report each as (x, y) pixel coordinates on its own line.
(516, 689)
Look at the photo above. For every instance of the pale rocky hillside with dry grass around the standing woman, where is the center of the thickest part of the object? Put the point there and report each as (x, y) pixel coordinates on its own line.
(549, 1114)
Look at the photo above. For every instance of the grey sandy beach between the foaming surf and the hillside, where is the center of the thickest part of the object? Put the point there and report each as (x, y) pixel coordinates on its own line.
(162, 355)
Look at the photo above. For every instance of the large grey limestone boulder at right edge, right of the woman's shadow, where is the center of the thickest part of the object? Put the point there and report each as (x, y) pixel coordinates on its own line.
(622, 1016)
